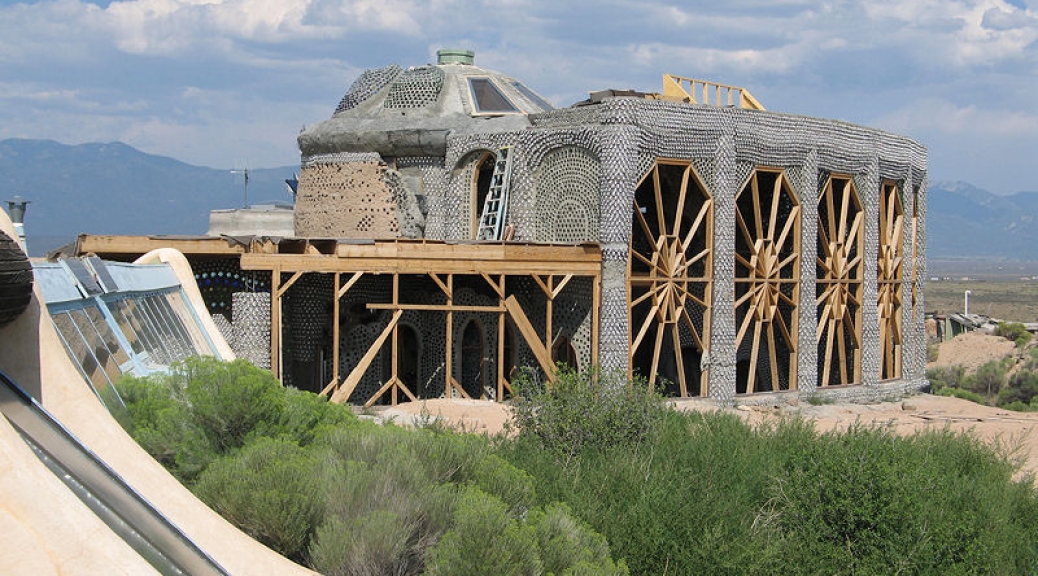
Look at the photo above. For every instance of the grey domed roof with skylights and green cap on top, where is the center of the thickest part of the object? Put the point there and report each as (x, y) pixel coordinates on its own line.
(398, 112)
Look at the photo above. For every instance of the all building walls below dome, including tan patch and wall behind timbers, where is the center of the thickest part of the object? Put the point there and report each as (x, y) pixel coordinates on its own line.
(594, 158)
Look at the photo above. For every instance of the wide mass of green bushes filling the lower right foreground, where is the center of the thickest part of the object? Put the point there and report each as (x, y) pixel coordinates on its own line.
(713, 496)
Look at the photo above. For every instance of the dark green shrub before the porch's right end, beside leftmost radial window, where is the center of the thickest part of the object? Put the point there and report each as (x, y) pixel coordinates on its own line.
(585, 410)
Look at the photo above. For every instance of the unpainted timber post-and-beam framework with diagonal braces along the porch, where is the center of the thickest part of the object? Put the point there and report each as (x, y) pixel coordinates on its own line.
(551, 267)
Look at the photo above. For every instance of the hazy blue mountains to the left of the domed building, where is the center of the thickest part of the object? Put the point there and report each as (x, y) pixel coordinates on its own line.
(117, 189)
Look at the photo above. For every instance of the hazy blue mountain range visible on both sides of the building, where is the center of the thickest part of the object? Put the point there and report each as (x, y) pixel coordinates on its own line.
(120, 190)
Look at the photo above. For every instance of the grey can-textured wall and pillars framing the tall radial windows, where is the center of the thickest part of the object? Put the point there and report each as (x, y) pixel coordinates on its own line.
(625, 136)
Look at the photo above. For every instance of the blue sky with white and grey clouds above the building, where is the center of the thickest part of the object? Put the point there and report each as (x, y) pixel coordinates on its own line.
(230, 84)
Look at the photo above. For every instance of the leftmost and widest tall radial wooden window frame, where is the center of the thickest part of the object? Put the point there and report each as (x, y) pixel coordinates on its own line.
(669, 277)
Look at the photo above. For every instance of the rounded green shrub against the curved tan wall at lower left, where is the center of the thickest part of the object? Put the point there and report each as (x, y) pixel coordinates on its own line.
(268, 491)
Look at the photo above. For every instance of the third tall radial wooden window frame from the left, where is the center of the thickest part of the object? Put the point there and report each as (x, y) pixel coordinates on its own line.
(841, 240)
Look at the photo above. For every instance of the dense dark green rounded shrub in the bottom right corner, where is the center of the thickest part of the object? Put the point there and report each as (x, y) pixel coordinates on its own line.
(866, 502)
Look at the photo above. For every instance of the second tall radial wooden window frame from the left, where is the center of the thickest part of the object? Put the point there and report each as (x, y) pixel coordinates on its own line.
(768, 260)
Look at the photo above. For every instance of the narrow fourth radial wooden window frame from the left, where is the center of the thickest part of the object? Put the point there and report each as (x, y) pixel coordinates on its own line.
(890, 277)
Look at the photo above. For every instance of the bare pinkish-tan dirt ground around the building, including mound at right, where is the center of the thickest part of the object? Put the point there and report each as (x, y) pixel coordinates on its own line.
(1016, 431)
